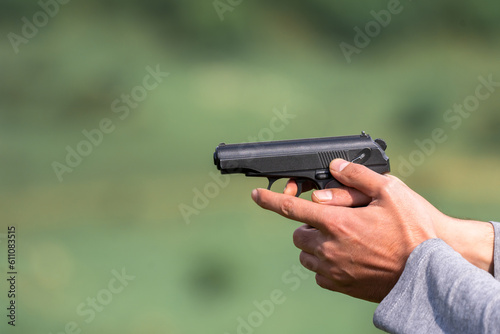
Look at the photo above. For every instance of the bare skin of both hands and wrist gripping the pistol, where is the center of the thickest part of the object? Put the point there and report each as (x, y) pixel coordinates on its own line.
(357, 238)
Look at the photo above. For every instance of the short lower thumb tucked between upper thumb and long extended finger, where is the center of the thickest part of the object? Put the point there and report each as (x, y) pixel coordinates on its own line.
(343, 196)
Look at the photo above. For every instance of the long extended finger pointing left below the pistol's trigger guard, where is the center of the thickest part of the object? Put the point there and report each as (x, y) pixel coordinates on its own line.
(295, 208)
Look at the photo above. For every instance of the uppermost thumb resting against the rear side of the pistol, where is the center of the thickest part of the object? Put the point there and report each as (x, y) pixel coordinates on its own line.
(358, 176)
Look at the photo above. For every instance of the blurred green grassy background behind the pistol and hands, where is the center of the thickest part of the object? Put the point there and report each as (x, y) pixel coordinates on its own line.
(202, 264)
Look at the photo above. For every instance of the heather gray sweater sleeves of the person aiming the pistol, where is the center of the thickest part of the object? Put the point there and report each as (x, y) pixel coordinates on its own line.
(440, 292)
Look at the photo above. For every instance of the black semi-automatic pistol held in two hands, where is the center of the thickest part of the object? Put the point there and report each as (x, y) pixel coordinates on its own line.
(303, 159)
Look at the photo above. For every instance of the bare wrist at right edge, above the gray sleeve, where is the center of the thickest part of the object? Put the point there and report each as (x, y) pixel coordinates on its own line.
(474, 240)
